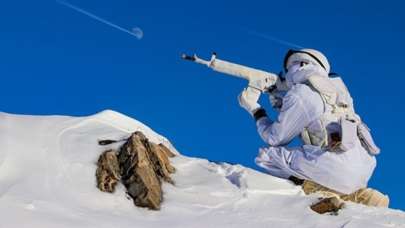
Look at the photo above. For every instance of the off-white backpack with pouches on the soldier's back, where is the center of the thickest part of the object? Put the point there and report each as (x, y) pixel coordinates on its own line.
(339, 109)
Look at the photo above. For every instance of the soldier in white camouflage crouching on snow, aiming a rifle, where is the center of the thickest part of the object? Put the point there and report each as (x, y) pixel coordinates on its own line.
(337, 157)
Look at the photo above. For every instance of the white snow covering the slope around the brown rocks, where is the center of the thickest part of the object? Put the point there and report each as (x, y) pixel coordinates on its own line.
(47, 179)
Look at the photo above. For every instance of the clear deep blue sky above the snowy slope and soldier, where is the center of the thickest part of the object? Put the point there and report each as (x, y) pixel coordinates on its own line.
(54, 60)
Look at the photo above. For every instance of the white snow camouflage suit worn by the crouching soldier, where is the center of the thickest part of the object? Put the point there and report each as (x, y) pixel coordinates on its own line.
(343, 172)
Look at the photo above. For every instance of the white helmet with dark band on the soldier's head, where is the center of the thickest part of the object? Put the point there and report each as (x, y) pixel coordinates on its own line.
(306, 55)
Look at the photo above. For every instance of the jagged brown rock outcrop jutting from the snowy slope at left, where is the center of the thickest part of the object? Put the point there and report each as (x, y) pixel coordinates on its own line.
(142, 167)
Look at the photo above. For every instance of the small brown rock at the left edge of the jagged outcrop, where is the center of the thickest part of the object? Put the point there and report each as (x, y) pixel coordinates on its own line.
(108, 171)
